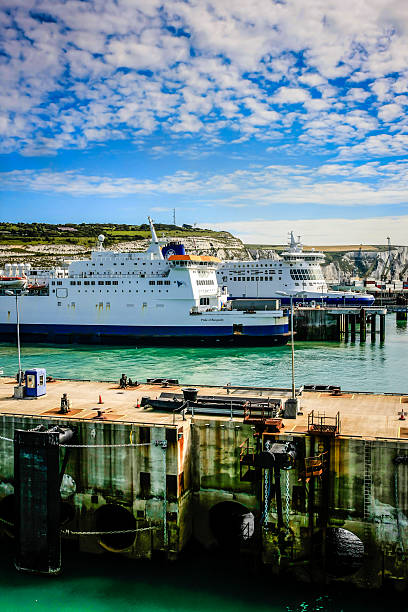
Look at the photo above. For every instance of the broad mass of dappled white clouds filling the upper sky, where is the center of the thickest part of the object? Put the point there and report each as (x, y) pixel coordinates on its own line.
(122, 69)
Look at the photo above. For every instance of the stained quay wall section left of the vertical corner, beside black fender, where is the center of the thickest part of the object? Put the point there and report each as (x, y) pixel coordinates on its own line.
(112, 476)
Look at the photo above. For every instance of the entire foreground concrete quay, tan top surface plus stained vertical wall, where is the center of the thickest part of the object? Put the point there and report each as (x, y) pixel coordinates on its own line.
(322, 496)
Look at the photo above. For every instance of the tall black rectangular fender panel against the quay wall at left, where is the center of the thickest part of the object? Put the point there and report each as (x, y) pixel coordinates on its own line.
(37, 478)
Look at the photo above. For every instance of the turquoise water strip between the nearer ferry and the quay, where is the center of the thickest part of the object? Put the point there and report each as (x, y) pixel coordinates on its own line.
(354, 366)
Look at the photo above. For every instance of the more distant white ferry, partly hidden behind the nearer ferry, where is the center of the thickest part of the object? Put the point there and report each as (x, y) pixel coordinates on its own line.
(295, 272)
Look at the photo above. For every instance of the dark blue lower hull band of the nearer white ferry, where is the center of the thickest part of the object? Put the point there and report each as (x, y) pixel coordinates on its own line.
(252, 335)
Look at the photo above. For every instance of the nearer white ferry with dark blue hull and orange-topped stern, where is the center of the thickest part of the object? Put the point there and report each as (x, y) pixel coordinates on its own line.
(159, 296)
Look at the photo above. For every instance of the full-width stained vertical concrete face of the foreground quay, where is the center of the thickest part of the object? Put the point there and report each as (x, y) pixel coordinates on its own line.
(179, 488)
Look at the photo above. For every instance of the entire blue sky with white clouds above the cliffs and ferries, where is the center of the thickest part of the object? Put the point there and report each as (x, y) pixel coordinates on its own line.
(255, 116)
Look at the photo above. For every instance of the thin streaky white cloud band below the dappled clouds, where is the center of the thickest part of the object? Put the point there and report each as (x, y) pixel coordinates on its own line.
(343, 185)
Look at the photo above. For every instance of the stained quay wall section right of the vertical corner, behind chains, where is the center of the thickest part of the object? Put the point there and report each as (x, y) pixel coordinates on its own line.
(299, 549)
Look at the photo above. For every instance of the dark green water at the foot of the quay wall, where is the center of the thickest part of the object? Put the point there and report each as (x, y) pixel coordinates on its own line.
(204, 584)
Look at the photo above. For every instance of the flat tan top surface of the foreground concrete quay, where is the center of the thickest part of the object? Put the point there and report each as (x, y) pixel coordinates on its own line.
(363, 415)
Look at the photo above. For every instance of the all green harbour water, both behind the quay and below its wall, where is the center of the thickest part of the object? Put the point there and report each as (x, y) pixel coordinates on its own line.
(202, 582)
